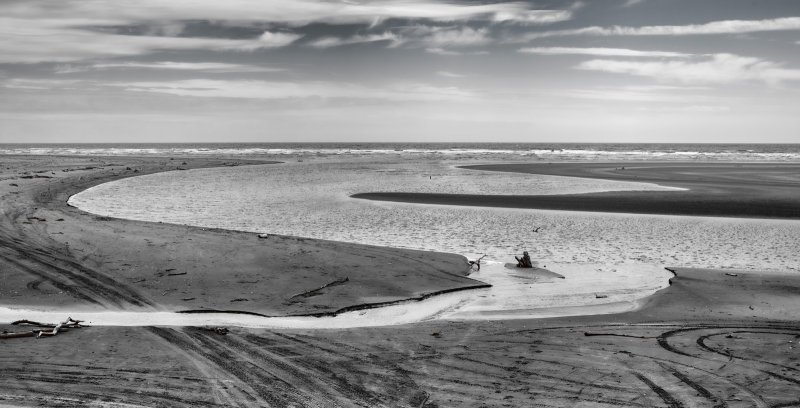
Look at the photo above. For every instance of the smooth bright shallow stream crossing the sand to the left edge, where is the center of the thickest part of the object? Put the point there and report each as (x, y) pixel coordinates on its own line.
(499, 302)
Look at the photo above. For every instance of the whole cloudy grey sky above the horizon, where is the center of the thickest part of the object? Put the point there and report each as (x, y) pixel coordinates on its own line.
(640, 71)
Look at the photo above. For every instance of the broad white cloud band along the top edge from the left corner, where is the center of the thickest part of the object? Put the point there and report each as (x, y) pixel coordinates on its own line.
(292, 12)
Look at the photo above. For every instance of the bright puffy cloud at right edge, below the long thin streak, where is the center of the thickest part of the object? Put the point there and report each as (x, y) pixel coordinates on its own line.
(719, 69)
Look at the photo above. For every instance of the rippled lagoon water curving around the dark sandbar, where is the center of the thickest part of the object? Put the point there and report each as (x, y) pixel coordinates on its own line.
(607, 259)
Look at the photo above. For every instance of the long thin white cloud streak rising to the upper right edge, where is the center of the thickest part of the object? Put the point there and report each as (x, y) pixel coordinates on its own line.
(715, 27)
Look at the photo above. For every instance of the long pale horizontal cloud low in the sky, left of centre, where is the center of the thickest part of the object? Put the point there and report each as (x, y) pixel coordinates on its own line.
(285, 90)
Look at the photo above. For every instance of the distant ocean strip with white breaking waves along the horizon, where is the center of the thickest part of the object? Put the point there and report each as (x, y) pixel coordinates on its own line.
(528, 151)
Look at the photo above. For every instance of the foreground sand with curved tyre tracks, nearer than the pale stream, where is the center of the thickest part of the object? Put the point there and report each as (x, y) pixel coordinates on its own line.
(710, 339)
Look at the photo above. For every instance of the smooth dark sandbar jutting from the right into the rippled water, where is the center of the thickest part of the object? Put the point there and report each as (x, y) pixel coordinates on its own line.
(712, 189)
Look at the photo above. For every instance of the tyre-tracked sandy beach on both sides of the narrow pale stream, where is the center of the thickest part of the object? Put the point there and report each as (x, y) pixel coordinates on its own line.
(724, 338)
